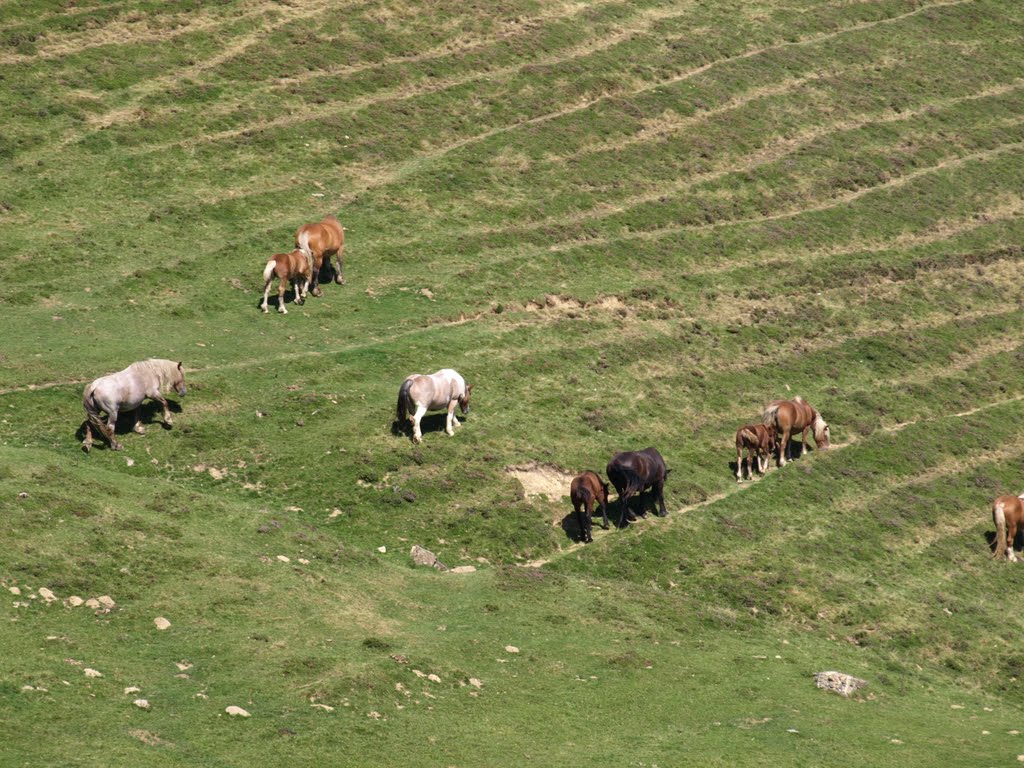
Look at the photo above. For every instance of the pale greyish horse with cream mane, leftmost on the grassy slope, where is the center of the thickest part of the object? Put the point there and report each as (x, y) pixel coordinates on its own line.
(126, 390)
